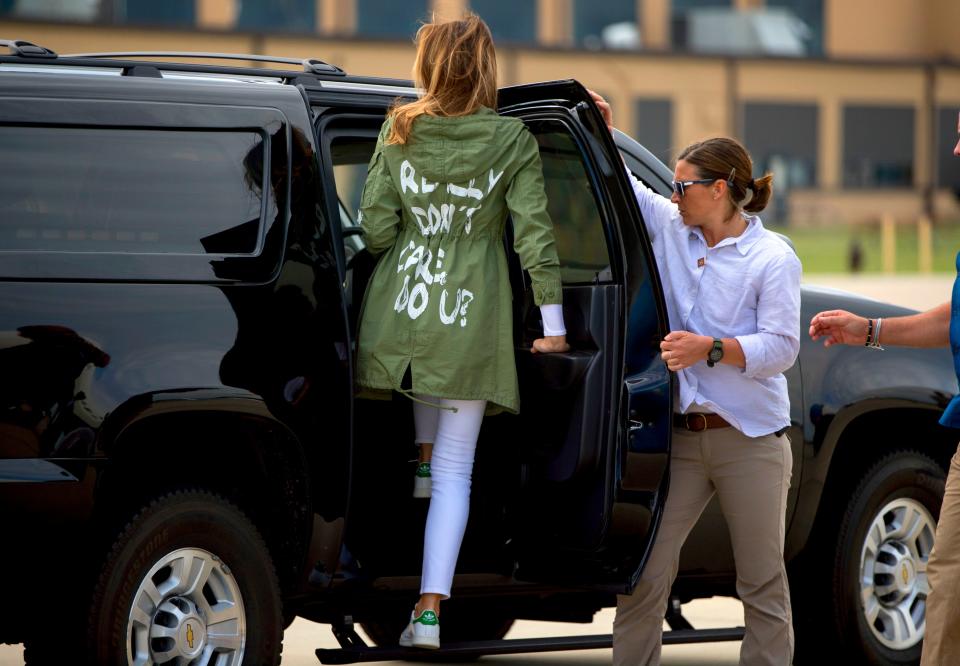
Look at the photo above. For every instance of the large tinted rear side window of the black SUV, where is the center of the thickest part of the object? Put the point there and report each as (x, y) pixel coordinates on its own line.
(130, 191)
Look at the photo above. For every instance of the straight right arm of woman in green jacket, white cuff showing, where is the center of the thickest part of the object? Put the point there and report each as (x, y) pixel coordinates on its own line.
(534, 242)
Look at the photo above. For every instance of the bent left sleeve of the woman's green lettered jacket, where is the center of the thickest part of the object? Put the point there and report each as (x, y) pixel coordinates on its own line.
(380, 204)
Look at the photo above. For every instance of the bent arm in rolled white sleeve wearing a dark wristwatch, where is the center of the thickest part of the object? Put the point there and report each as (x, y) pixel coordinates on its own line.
(769, 351)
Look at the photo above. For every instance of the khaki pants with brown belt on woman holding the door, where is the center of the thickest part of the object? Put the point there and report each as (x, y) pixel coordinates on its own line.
(751, 477)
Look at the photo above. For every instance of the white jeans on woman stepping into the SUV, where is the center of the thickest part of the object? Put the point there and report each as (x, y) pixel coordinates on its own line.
(454, 437)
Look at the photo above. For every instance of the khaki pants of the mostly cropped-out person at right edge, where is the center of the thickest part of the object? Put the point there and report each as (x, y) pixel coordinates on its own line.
(941, 642)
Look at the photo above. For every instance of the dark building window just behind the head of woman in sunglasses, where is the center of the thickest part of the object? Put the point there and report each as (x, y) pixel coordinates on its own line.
(782, 139)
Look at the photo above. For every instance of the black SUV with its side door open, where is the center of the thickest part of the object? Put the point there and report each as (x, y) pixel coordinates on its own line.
(184, 467)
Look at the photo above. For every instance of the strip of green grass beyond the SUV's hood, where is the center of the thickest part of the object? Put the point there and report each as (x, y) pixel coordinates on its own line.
(827, 249)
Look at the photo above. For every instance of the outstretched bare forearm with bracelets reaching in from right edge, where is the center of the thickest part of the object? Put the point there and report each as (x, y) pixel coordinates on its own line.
(926, 329)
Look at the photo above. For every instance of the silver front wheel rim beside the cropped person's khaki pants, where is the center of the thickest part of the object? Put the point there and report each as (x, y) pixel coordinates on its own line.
(893, 573)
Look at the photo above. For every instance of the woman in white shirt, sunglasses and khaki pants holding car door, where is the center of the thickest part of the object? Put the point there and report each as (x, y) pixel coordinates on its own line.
(732, 290)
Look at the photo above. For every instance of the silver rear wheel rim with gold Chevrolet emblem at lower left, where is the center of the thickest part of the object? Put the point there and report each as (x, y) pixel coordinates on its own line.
(187, 610)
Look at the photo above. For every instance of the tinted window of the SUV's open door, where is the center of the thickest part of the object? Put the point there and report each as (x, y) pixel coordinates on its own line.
(573, 207)
